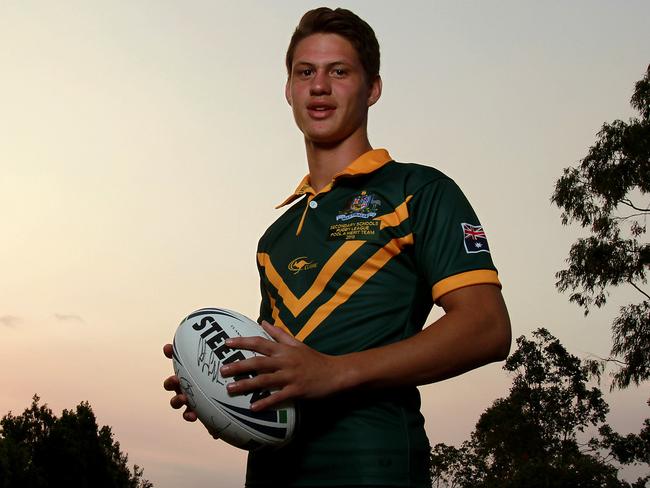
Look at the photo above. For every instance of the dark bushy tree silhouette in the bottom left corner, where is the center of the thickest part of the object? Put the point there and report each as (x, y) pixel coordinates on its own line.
(39, 450)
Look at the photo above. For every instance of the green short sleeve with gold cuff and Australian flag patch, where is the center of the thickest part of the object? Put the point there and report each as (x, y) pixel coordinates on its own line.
(450, 244)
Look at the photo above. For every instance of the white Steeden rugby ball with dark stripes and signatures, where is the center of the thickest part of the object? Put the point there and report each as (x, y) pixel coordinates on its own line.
(199, 353)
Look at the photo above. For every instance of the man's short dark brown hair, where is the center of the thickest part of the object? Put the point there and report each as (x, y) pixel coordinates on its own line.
(346, 24)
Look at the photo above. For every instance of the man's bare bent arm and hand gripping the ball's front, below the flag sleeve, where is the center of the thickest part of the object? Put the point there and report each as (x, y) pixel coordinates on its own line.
(474, 331)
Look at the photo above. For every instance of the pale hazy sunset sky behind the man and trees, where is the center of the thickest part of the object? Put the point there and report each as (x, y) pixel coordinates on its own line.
(144, 145)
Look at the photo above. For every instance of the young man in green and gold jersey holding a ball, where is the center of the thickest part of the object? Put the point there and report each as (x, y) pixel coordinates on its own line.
(349, 274)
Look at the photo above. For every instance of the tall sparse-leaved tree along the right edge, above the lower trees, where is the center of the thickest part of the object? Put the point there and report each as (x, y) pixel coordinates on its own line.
(607, 194)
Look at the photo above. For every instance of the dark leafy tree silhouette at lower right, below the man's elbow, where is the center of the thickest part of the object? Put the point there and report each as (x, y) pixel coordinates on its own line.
(533, 437)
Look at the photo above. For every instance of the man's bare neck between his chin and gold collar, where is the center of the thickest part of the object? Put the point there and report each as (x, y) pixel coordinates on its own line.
(326, 160)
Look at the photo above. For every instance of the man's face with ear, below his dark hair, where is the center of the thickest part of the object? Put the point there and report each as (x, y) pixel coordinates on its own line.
(328, 91)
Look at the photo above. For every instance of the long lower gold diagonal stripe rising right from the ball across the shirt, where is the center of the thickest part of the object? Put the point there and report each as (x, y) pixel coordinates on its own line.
(354, 282)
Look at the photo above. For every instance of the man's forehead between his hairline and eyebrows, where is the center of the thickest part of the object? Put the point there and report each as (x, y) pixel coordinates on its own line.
(325, 48)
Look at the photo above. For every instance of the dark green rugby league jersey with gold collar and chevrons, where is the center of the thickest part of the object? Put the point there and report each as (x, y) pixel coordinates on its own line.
(356, 266)
